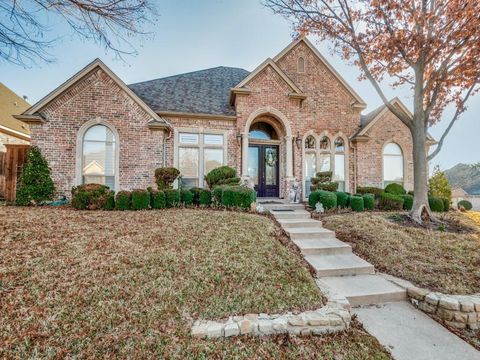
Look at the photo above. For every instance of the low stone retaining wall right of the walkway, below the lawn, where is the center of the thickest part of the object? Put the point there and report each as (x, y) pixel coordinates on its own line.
(459, 311)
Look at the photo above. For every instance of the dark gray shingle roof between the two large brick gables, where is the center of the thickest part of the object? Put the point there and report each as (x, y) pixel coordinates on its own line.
(205, 91)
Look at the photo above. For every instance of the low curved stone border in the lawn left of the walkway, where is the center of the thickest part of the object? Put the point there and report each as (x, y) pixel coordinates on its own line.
(334, 316)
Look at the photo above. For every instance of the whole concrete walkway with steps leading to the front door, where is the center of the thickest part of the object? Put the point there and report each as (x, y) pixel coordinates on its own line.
(406, 331)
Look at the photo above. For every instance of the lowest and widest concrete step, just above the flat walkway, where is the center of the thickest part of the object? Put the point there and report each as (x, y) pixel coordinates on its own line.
(366, 289)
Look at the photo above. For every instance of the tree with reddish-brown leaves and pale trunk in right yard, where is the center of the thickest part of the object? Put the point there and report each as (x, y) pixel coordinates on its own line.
(430, 46)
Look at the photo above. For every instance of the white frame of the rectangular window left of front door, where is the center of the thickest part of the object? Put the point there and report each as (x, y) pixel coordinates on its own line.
(201, 146)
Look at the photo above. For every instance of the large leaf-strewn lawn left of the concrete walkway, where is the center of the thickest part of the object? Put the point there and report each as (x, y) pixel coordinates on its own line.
(129, 284)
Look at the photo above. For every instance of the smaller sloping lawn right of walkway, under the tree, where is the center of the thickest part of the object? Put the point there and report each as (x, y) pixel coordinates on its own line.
(444, 258)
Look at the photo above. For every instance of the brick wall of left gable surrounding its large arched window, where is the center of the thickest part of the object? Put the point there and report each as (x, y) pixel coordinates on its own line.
(97, 96)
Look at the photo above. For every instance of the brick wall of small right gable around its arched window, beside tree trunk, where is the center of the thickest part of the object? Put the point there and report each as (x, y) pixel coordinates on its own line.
(370, 154)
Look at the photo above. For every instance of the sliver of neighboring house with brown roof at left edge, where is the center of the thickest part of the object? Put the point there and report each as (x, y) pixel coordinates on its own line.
(12, 131)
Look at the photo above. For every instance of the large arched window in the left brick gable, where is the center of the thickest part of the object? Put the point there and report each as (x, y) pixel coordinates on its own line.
(98, 156)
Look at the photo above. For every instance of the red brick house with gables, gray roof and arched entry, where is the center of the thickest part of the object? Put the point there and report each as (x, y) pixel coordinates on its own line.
(294, 115)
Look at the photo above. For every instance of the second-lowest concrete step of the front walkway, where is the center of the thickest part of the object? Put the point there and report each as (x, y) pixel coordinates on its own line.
(339, 264)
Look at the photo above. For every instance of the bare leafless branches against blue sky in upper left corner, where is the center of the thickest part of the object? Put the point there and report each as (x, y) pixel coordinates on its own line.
(25, 33)
